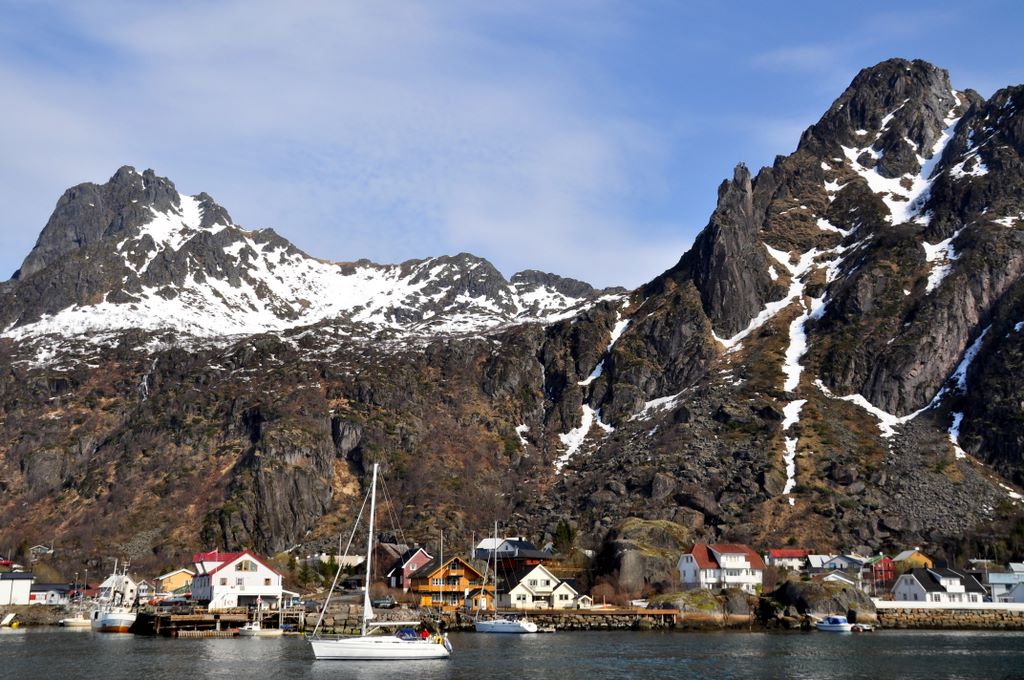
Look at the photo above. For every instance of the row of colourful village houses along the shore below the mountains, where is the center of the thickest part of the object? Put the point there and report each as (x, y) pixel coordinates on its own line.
(220, 591)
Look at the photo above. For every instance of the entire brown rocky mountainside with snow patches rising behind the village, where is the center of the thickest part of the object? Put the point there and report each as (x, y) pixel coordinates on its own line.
(832, 364)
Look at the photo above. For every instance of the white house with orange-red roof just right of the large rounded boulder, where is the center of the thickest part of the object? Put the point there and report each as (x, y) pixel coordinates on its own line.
(721, 566)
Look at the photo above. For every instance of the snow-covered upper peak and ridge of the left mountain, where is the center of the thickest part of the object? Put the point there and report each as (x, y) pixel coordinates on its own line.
(178, 263)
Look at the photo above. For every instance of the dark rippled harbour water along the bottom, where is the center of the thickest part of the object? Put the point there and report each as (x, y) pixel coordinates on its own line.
(67, 655)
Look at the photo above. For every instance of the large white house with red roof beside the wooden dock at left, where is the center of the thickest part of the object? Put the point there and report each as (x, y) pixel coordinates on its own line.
(235, 580)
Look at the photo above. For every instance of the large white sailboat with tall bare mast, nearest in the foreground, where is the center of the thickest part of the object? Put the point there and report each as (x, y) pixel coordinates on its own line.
(376, 643)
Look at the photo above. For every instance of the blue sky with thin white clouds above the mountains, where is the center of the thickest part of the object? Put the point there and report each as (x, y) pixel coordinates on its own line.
(585, 139)
